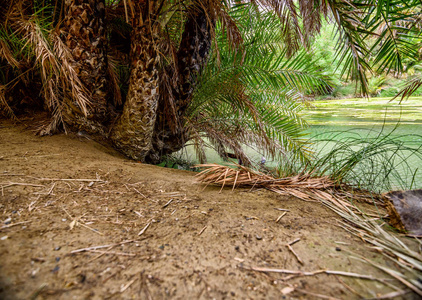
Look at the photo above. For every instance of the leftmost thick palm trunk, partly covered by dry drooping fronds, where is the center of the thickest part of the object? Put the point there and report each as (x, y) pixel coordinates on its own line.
(83, 32)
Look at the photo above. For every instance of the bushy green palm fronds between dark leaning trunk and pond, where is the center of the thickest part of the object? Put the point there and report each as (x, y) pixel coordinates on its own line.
(253, 95)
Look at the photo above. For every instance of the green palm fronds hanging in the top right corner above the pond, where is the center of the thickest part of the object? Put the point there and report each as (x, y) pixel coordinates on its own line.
(376, 35)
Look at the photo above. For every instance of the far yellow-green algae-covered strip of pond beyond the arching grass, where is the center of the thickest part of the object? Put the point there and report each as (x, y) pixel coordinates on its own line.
(375, 115)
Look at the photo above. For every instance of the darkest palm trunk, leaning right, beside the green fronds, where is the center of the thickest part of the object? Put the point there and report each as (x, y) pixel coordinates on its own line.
(170, 134)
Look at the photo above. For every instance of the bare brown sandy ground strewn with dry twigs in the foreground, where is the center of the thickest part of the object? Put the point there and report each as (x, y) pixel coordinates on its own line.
(200, 243)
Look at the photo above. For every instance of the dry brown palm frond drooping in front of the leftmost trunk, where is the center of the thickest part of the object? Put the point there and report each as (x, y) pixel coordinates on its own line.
(50, 58)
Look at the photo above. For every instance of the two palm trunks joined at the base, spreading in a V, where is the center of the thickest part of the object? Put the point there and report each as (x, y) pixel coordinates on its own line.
(145, 106)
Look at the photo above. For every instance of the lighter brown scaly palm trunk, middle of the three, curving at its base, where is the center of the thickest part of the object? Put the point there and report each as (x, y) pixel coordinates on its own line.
(133, 132)
